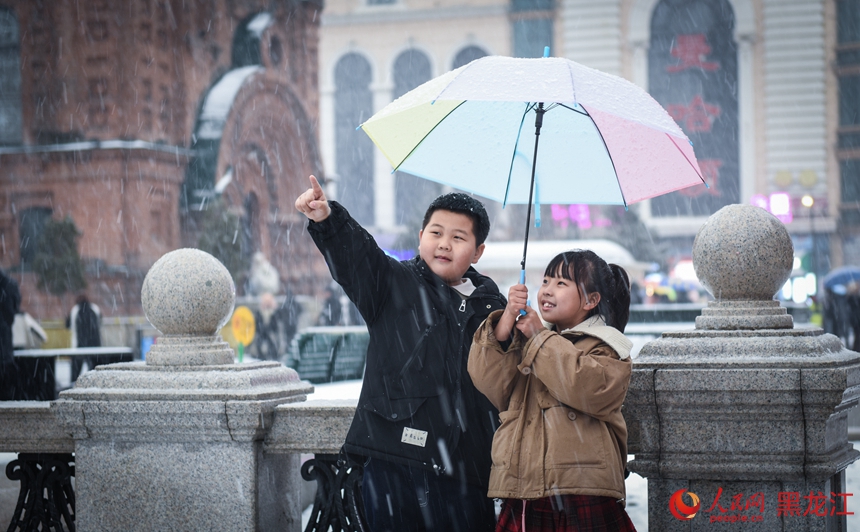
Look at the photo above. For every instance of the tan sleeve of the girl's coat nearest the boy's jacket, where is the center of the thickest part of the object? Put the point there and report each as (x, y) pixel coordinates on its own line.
(494, 370)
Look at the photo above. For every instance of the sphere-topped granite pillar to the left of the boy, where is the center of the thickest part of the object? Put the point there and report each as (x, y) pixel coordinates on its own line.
(175, 443)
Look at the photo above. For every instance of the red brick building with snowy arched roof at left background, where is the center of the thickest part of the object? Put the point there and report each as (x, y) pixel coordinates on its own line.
(134, 118)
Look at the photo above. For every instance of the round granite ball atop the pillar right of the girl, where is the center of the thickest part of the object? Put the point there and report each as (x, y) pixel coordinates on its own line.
(743, 253)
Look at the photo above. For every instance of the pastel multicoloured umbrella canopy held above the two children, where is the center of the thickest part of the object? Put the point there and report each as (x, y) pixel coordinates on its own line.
(603, 140)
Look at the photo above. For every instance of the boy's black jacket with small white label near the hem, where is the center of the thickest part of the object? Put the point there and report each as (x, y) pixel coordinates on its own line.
(420, 334)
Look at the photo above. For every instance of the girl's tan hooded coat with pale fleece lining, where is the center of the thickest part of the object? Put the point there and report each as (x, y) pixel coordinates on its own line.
(559, 398)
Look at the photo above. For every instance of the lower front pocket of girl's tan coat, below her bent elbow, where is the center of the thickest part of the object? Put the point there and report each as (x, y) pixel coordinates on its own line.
(574, 439)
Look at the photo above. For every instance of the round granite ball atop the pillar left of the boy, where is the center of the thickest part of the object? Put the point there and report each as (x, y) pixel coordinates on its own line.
(188, 292)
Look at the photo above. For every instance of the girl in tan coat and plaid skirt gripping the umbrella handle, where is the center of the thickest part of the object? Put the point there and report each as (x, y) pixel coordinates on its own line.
(560, 453)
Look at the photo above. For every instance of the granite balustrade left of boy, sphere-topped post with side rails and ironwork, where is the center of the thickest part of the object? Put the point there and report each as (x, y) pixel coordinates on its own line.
(186, 439)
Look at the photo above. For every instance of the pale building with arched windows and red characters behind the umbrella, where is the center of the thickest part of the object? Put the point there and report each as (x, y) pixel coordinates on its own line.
(768, 91)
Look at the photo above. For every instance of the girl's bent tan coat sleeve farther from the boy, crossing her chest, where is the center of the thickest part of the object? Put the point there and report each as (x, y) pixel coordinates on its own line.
(587, 375)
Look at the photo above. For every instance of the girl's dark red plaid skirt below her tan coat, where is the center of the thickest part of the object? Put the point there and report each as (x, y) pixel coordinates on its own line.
(565, 513)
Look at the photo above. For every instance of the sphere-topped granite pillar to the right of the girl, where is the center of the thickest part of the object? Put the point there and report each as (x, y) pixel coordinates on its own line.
(740, 424)
